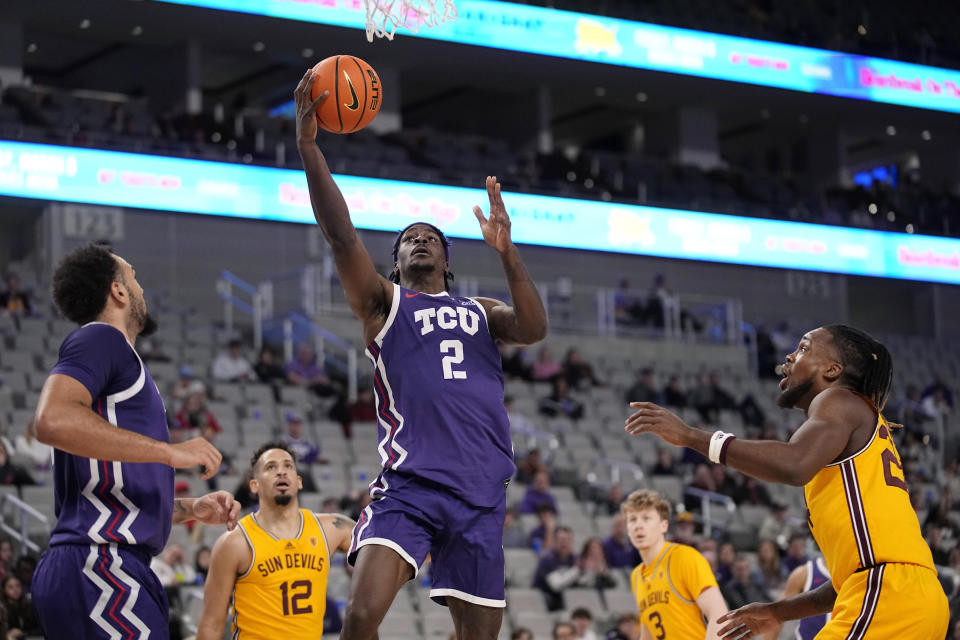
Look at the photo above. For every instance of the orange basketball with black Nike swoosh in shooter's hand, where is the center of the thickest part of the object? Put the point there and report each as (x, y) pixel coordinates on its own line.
(355, 94)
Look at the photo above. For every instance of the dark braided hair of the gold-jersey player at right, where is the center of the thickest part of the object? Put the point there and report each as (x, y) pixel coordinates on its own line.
(867, 365)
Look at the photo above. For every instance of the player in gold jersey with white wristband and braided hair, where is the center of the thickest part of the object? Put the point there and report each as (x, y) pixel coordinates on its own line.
(883, 582)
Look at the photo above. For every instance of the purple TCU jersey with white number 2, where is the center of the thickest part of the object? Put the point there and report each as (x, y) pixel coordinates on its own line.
(438, 383)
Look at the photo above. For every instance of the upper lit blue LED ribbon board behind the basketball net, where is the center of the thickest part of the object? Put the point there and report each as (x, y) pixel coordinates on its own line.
(581, 36)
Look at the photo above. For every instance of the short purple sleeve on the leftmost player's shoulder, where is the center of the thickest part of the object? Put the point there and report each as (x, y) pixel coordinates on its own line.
(91, 355)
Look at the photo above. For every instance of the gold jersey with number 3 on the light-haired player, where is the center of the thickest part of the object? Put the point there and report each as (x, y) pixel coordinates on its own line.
(667, 593)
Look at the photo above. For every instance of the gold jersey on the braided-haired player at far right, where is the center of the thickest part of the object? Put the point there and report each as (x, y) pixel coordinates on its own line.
(860, 511)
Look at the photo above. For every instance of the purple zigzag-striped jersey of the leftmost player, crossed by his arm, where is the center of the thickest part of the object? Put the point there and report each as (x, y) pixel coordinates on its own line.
(98, 501)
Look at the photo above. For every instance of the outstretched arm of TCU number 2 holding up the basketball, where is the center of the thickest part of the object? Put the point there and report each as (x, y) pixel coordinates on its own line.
(368, 293)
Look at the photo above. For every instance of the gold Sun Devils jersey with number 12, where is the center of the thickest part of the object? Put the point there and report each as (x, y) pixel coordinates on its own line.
(283, 592)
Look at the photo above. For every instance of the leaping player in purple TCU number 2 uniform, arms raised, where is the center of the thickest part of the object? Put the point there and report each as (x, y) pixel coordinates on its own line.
(445, 439)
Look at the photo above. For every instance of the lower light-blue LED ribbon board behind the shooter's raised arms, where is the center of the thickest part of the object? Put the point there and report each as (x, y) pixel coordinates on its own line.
(112, 178)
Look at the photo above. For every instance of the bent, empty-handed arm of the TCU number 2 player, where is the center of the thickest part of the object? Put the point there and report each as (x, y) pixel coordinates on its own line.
(526, 321)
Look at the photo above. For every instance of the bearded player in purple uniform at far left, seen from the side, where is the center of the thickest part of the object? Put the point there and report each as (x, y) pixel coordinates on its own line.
(113, 463)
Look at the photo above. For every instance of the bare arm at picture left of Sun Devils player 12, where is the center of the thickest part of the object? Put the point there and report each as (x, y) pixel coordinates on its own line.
(229, 554)
